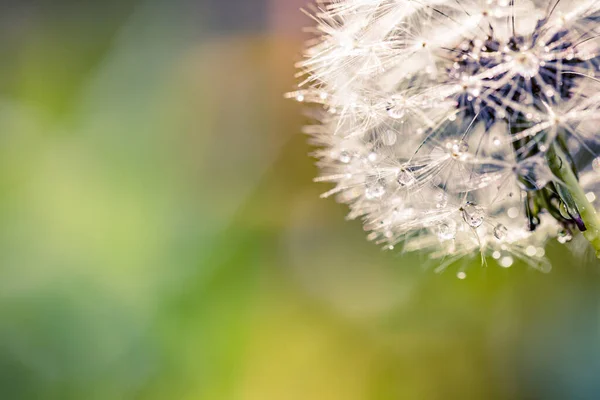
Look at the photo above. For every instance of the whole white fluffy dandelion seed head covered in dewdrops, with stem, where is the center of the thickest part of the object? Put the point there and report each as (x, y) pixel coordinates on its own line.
(459, 127)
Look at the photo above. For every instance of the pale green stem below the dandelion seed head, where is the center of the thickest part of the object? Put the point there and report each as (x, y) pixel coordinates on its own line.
(558, 162)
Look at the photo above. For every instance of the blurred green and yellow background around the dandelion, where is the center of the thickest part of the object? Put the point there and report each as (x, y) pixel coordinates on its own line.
(160, 236)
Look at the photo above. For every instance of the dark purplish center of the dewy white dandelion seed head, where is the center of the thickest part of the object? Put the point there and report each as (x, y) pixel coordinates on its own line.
(534, 71)
